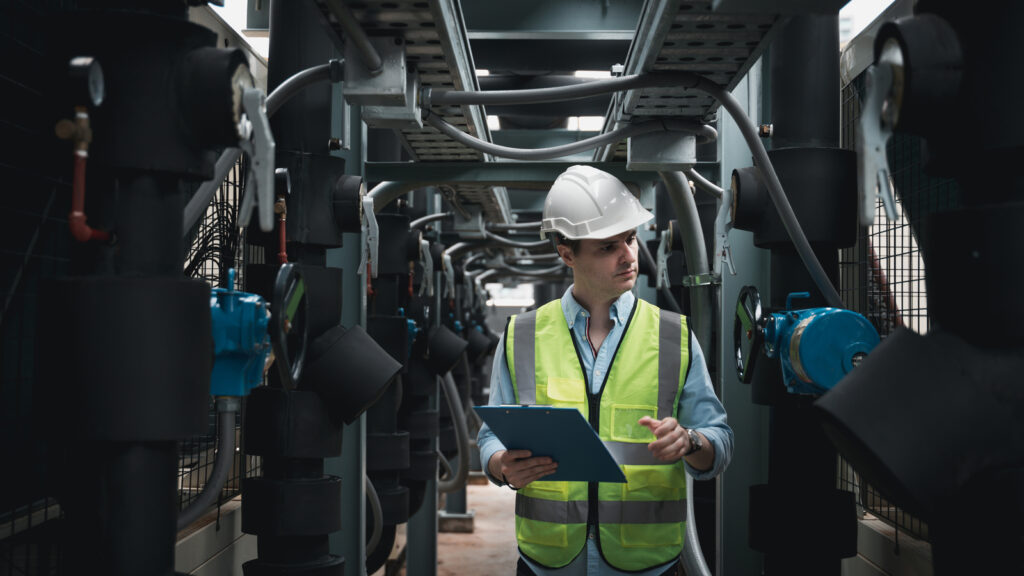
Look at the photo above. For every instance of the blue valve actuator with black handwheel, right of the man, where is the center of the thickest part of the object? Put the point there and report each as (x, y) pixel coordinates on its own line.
(817, 347)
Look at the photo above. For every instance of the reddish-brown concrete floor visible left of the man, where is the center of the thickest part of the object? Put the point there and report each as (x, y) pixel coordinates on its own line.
(490, 550)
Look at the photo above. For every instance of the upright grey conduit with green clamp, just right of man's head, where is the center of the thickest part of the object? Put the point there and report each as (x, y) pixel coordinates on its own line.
(694, 250)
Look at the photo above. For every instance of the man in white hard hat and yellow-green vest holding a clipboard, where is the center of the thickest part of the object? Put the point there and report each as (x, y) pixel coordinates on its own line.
(636, 375)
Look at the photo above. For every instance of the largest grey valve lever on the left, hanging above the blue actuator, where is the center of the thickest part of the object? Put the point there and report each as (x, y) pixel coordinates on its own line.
(258, 142)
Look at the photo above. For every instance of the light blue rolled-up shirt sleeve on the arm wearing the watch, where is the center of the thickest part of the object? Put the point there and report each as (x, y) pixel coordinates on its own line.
(702, 410)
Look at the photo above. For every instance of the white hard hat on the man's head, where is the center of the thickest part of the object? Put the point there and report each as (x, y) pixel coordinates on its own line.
(587, 203)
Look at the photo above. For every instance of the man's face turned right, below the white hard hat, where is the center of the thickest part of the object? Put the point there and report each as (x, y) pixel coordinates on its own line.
(605, 268)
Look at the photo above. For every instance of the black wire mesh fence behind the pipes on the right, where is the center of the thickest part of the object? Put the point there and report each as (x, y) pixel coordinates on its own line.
(883, 276)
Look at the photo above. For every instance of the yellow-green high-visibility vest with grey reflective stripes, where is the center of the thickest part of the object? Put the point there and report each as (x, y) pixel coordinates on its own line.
(642, 524)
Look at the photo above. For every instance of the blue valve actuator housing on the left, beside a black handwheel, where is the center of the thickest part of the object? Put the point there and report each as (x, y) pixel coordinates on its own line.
(242, 343)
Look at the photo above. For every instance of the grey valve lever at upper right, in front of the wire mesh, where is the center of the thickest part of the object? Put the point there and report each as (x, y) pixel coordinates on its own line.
(874, 131)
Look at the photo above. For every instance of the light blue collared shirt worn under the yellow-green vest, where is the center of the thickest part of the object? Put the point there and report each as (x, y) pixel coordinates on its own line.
(699, 408)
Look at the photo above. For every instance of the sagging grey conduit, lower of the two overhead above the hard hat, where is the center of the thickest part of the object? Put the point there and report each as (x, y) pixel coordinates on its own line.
(664, 126)
